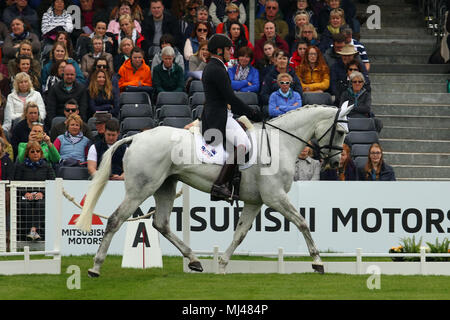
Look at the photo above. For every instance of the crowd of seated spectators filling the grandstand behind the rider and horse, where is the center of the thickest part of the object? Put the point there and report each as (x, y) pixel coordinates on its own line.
(60, 62)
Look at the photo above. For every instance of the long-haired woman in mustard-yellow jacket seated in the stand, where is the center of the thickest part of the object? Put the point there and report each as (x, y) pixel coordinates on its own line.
(313, 72)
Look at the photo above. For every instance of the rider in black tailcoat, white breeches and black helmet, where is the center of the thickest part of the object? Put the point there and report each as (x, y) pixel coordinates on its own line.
(220, 105)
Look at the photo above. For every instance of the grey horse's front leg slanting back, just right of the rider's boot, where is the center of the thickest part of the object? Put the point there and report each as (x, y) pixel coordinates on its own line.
(246, 219)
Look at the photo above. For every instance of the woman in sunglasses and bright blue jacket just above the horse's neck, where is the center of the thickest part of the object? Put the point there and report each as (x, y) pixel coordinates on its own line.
(284, 99)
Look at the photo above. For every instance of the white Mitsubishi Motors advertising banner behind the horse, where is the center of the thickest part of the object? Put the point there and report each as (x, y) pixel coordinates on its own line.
(341, 216)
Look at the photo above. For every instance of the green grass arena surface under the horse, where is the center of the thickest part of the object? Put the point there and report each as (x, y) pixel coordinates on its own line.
(171, 283)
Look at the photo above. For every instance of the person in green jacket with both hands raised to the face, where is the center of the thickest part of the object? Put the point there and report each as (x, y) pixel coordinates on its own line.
(37, 134)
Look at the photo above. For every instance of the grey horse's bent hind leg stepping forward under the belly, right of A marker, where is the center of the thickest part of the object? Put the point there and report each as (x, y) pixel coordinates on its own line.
(164, 198)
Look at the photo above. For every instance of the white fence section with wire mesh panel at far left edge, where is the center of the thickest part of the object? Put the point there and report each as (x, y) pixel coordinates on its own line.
(21, 212)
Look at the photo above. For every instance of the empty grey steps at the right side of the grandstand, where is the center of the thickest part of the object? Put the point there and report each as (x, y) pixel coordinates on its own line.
(408, 94)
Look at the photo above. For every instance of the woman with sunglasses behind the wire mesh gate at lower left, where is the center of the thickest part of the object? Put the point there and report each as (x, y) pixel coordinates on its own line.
(31, 215)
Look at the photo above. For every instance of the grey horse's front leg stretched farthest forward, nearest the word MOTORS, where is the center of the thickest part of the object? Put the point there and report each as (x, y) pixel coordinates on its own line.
(284, 206)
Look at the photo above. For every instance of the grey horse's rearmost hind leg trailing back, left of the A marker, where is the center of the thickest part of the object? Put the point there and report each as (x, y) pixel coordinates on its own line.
(115, 221)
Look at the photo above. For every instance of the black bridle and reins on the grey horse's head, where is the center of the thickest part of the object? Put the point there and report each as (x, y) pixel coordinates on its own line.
(316, 147)
